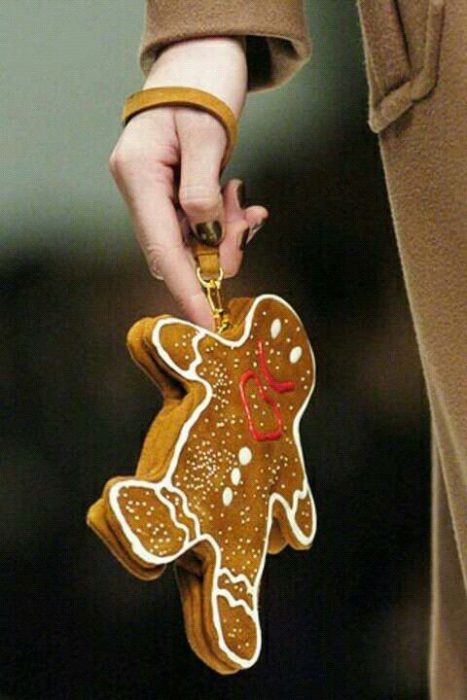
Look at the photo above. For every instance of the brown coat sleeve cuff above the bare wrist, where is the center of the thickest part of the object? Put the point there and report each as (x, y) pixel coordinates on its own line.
(277, 39)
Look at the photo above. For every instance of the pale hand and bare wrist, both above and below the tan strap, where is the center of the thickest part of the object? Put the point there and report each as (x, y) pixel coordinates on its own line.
(167, 165)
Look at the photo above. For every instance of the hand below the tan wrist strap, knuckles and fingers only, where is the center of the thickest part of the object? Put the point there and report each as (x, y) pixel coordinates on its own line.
(144, 165)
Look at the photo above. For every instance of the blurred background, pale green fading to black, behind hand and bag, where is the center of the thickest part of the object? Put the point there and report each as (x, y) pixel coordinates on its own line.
(349, 618)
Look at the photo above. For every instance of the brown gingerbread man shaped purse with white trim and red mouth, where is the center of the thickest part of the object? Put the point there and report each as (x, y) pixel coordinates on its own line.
(228, 478)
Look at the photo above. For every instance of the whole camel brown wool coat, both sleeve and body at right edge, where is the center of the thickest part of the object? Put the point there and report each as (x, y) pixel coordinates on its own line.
(416, 63)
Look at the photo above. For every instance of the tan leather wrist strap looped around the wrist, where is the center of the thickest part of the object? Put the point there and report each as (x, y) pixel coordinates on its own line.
(188, 97)
